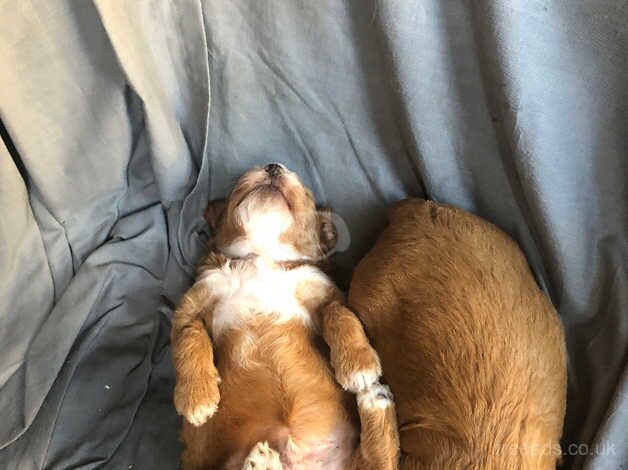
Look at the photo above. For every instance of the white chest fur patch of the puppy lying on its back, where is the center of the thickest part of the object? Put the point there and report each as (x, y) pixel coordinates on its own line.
(243, 290)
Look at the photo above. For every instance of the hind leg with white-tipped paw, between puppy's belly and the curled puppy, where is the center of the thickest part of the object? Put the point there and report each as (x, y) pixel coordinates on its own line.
(379, 439)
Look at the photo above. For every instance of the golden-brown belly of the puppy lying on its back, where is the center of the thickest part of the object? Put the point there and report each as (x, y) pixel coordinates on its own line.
(278, 387)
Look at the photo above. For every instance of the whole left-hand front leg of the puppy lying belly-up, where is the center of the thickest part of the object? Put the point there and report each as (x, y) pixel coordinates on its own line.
(196, 393)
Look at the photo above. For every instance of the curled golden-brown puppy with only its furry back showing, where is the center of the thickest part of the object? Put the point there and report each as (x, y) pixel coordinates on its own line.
(472, 350)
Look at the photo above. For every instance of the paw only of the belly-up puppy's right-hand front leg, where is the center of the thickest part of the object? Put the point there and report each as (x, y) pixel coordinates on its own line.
(357, 369)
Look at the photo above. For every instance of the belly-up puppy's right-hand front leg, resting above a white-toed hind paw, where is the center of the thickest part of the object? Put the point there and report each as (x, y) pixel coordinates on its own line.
(355, 362)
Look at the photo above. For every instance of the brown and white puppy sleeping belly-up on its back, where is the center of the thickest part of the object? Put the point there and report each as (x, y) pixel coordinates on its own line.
(253, 380)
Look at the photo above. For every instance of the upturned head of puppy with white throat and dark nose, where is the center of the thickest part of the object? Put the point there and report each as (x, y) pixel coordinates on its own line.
(271, 213)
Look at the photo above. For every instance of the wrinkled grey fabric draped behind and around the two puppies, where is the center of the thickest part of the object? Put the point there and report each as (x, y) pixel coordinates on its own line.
(121, 119)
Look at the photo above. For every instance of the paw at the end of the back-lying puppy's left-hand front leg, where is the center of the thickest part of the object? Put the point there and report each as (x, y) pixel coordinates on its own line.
(197, 400)
